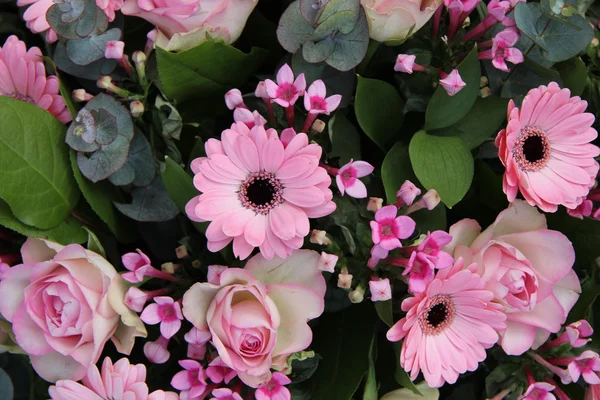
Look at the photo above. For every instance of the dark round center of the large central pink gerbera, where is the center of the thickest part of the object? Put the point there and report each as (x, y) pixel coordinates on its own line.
(260, 192)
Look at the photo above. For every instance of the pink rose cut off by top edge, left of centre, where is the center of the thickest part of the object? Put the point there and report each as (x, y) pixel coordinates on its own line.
(183, 24)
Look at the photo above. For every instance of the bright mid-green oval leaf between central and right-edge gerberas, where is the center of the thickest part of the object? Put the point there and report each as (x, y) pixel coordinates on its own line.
(442, 163)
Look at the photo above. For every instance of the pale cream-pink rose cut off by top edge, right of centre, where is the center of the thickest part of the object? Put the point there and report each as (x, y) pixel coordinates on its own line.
(392, 20)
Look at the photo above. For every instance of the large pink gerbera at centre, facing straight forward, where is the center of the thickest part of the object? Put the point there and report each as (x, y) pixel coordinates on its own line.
(258, 192)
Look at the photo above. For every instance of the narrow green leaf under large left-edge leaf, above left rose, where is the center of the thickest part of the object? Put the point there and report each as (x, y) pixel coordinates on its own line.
(69, 231)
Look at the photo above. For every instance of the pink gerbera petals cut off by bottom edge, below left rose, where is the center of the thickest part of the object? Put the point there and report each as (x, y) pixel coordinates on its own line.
(115, 382)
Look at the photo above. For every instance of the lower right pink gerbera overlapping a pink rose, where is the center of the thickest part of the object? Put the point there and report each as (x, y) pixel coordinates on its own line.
(448, 326)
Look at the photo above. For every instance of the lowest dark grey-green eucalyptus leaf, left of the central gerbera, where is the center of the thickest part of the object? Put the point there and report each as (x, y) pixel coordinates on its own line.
(150, 203)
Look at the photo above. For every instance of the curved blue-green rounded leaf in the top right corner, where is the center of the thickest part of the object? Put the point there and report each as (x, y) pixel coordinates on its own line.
(558, 38)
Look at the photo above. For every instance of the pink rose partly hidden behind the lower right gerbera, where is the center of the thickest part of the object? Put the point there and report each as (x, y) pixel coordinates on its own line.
(529, 269)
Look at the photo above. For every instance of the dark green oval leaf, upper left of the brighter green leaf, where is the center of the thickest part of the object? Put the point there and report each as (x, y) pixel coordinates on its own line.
(378, 108)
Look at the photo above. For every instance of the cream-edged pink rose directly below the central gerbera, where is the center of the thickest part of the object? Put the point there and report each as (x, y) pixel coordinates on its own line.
(258, 315)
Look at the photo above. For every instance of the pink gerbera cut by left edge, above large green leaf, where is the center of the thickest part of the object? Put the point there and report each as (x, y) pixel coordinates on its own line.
(23, 77)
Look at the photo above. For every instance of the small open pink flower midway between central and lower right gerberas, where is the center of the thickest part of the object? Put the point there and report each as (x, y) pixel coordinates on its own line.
(388, 229)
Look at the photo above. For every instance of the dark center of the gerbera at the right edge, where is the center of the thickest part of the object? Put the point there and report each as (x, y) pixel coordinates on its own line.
(532, 149)
